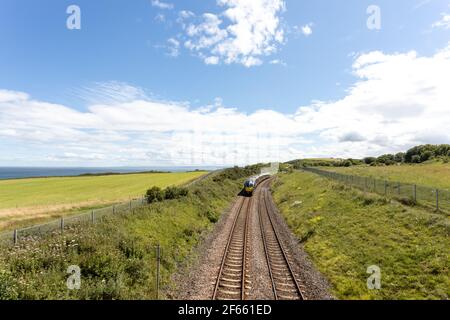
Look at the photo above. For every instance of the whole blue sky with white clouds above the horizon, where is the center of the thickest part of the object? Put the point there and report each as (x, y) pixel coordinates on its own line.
(220, 82)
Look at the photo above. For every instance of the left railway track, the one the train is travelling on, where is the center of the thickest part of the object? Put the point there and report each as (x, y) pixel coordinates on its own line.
(233, 279)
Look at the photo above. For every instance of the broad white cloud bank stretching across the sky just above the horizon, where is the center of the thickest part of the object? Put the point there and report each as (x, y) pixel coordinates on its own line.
(398, 100)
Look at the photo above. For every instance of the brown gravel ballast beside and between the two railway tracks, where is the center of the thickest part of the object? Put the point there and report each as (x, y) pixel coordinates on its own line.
(198, 283)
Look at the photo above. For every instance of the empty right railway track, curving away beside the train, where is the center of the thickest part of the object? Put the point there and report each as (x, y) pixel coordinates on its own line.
(285, 284)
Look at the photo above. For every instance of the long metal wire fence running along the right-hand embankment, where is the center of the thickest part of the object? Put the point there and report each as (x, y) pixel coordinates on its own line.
(430, 197)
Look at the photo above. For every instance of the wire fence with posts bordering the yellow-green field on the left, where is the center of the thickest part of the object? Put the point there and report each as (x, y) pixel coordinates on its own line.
(88, 217)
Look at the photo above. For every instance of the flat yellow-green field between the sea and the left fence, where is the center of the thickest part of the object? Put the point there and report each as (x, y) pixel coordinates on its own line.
(27, 201)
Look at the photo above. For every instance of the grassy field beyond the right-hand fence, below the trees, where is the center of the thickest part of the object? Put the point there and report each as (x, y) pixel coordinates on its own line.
(433, 174)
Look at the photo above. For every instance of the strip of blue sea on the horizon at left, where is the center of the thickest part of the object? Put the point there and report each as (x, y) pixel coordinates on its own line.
(34, 172)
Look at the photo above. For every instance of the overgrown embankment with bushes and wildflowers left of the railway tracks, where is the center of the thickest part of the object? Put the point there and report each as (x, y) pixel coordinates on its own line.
(117, 256)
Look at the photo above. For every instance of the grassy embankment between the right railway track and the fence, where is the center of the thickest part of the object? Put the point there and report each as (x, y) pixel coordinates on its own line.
(345, 232)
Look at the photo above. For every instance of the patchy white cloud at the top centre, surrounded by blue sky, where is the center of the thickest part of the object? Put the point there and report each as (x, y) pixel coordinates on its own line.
(244, 32)
